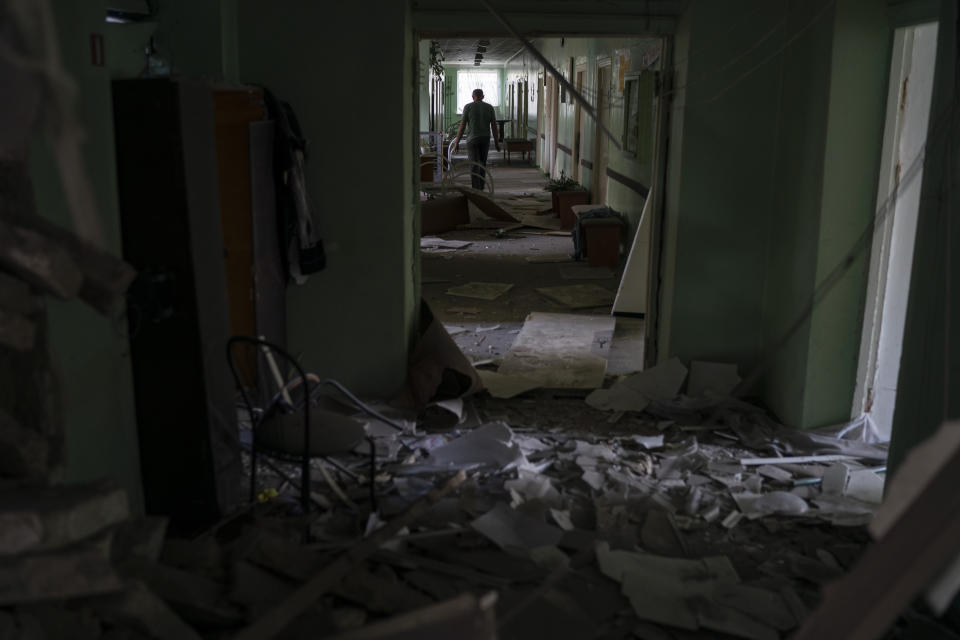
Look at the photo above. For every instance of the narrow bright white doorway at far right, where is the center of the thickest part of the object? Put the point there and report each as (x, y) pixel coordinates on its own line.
(898, 198)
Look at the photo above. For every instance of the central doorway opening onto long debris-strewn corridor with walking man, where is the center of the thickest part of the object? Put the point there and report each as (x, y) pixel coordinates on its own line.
(484, 274)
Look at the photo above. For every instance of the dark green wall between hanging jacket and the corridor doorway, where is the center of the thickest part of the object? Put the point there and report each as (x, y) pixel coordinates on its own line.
(353, 320)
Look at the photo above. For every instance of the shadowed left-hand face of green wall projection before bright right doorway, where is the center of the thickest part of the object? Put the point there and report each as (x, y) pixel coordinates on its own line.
(793, 190)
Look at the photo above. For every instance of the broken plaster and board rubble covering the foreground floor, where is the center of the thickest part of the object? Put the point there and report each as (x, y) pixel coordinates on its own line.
(540, 516)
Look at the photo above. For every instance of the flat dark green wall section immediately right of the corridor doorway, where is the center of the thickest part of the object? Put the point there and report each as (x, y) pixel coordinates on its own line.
(717, 202)
